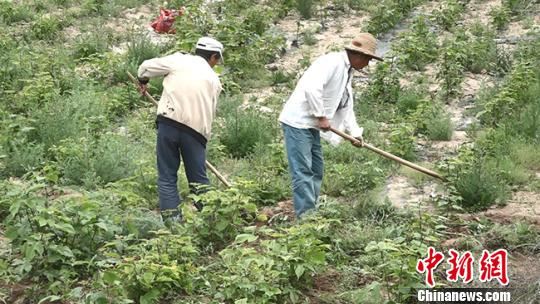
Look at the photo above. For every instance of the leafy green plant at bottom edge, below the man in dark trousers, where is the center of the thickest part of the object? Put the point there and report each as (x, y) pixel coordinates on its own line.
(153, 268)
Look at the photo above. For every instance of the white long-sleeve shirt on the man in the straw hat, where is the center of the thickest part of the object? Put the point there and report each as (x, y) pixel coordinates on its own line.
(319, 93)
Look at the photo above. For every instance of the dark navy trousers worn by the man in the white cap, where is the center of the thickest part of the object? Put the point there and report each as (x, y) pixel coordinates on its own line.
(172, 145)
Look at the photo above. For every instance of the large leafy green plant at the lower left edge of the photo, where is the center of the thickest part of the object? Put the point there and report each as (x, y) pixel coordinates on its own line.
(55, 240)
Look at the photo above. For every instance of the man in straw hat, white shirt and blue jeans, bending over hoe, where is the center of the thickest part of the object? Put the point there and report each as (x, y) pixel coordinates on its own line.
(322, 98)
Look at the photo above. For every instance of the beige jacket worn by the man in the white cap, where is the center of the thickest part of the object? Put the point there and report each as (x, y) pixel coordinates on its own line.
(190, 89)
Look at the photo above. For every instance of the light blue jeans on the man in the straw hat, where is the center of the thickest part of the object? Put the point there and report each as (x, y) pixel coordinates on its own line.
(305, 165)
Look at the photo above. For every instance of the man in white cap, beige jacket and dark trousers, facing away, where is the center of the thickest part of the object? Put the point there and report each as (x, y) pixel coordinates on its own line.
(184, 117)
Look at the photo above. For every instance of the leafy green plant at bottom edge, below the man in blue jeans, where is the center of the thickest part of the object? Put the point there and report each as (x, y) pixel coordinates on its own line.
(270, 272)
